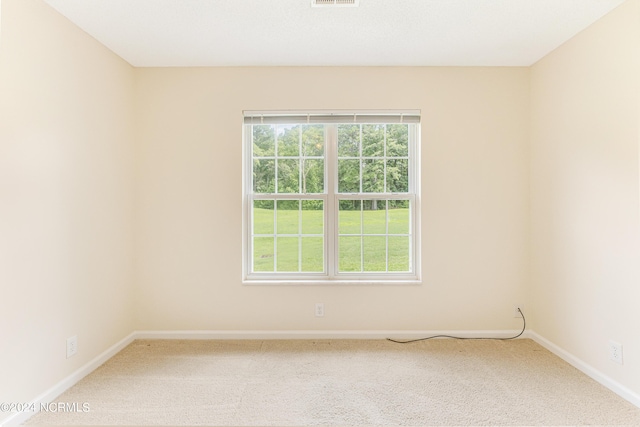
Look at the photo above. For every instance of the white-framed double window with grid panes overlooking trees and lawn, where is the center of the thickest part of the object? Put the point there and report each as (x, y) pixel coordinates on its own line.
(331, 197)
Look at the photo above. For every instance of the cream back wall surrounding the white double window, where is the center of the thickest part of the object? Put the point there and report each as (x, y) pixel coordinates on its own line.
(475, 213)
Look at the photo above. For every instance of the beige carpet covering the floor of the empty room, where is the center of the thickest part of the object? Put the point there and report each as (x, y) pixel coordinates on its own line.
(340, 382)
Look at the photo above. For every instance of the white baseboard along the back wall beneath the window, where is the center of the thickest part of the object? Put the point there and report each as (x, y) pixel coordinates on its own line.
(313, 334)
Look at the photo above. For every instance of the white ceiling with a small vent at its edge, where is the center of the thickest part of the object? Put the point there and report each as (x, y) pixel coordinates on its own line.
(171, 33)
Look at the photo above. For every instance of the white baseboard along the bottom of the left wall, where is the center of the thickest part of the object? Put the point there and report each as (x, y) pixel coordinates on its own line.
(55, 391)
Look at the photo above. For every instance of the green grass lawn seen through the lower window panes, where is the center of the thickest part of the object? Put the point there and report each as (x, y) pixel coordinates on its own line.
(359, 249)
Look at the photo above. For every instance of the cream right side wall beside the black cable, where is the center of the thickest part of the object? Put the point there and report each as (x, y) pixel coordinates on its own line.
(585, 218)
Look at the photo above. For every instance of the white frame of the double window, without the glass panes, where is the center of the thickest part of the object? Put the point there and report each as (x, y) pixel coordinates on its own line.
(331, 197)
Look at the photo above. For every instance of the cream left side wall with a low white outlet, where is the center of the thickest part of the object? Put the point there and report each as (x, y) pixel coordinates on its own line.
(66, 198)
